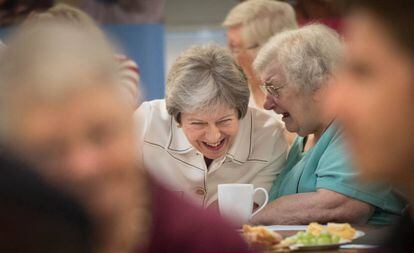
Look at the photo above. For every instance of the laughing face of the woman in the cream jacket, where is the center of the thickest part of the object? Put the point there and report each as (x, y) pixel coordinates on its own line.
(211, 133)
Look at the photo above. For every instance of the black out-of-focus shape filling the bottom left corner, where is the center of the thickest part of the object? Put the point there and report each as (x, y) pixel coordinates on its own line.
(36, 217)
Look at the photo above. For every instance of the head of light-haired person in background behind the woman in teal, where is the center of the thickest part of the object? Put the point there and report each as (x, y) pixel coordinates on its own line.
(251, 23)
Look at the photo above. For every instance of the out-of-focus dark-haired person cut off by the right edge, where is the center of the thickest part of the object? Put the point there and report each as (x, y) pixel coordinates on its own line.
(374, 99)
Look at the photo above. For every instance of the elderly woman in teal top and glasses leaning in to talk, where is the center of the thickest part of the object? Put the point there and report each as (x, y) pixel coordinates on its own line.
(317, 182)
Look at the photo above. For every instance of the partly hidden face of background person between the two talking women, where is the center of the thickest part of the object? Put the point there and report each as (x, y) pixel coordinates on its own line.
(242, 53)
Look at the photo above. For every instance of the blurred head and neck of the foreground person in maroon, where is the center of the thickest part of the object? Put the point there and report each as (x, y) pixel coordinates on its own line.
(62, 108)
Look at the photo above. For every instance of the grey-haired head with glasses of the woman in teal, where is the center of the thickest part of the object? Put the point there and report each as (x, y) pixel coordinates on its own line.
(295, 68)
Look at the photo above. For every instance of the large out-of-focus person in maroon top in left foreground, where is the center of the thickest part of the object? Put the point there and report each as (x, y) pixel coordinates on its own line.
(62, 109)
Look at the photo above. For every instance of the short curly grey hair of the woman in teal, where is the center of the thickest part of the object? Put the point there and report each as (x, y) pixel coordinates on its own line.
(307, 56)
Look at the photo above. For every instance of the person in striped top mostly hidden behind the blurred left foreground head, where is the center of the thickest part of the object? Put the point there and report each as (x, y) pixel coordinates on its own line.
(128, 69)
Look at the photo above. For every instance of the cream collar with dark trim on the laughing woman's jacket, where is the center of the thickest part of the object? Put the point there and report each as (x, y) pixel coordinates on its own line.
(238, 152)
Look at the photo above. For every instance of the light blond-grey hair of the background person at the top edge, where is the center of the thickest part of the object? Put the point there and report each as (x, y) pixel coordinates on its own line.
(260, 19)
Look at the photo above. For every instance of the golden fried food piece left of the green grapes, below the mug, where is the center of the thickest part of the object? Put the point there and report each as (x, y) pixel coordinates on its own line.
(261, 237)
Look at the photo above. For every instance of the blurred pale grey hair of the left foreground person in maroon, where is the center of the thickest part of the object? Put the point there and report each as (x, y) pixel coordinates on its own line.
(47, 62)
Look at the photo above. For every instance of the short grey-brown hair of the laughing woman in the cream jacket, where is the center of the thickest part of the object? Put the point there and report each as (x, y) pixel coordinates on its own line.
(205, 76)
